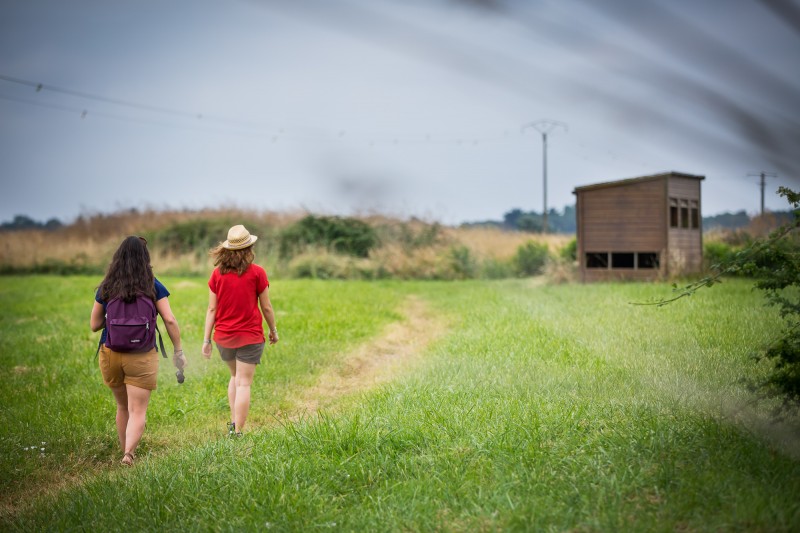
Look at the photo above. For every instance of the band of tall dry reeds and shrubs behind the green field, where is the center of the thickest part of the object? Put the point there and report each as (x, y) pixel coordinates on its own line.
(408, 249)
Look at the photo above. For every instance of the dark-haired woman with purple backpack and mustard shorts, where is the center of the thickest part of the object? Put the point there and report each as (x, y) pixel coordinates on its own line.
(125, 308)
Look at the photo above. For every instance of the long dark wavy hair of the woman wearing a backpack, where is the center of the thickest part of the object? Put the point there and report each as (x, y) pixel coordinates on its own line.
(129, 273)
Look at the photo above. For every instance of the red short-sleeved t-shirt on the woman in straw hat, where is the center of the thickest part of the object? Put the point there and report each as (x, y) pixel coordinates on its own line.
(238, 319)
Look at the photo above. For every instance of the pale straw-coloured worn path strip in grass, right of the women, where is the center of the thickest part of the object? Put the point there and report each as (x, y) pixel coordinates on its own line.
(369, 365)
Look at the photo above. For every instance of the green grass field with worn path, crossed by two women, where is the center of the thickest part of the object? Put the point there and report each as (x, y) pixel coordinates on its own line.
(468, 406)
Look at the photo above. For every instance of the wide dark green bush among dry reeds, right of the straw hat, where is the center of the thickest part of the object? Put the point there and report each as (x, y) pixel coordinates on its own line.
(348, 236)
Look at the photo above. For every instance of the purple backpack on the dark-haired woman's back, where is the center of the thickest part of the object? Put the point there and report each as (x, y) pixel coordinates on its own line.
(131, 326)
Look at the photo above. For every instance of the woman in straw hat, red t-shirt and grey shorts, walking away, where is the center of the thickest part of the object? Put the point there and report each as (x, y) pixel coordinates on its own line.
(237, 299)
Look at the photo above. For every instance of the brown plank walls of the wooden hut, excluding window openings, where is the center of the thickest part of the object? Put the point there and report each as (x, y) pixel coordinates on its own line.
(633, 217)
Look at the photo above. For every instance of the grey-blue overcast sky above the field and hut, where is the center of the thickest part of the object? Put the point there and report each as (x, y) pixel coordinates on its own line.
(408, 108)
